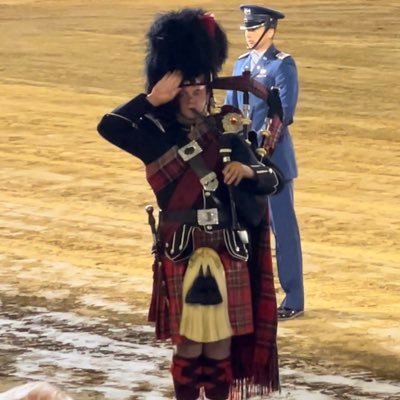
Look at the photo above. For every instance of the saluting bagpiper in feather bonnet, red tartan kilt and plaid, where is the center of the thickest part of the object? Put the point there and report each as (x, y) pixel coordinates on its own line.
(217, 308)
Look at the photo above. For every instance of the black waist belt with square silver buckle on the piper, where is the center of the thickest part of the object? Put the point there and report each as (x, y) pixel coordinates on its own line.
(202, 217)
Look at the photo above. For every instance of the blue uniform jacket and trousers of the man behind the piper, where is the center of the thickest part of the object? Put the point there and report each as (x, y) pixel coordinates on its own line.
(277, 69)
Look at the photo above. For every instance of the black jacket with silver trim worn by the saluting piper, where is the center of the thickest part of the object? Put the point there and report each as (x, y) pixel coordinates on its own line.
(136, 128)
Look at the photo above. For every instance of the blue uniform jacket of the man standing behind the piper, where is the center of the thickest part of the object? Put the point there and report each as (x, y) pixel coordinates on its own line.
(279, 70)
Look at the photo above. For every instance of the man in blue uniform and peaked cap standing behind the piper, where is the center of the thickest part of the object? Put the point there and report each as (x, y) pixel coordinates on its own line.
(274, 68)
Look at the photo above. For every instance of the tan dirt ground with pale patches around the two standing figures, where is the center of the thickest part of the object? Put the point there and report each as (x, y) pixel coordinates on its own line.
(74, 242)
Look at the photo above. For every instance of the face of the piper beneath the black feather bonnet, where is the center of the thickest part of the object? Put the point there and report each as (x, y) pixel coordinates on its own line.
(193, 100)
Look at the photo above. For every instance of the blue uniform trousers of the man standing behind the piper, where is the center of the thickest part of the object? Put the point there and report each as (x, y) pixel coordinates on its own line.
(287, 247)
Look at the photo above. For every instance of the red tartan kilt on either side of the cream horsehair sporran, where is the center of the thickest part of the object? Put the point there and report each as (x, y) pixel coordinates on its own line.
(239, 297)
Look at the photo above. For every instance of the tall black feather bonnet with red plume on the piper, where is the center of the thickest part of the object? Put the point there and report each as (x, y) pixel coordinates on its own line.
(189, 40)
